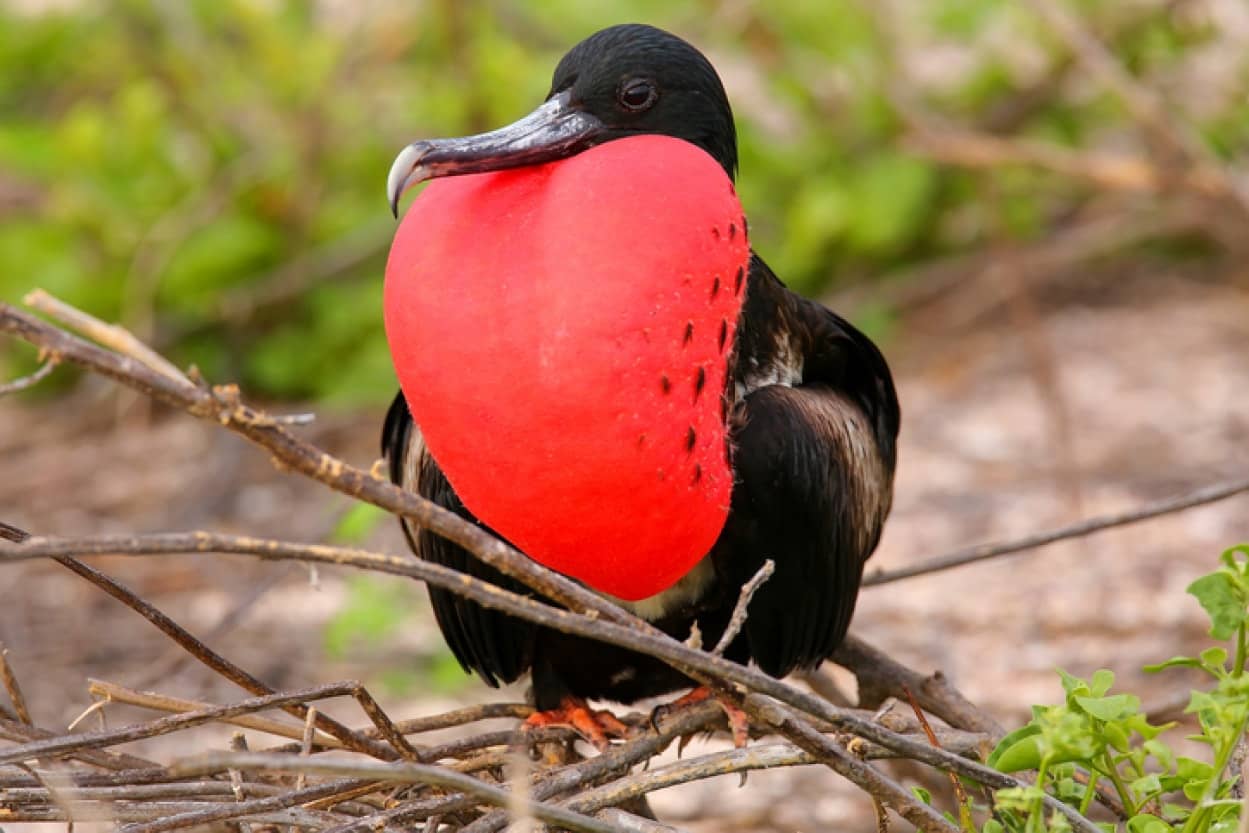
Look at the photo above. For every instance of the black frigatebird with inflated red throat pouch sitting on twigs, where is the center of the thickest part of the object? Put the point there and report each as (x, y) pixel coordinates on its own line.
(598, 368)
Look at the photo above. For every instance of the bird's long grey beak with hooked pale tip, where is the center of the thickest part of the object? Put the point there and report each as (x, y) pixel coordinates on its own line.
(555, 131)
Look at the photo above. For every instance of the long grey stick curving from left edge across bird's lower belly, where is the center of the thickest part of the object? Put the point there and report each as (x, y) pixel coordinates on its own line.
(661, 648)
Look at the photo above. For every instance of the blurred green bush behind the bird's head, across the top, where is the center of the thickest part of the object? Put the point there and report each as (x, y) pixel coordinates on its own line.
(212, 173)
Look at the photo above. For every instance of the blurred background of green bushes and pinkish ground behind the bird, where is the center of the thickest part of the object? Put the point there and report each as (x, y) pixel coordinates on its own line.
(1041, 210)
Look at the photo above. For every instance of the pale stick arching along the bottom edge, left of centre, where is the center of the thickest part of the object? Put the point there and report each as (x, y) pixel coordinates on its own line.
(400, 772)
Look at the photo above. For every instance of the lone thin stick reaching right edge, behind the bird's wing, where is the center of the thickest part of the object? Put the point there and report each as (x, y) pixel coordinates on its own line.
(986, 551)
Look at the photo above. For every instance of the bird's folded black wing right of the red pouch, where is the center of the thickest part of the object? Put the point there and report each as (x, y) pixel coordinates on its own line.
(814, 466)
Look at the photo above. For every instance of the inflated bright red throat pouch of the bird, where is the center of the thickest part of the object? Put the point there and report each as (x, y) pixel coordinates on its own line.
(534, 317)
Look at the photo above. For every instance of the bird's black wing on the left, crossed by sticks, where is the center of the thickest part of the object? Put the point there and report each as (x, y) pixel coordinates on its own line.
(496, 646)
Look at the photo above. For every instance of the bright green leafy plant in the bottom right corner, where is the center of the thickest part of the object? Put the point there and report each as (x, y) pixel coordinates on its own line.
(1096, 737)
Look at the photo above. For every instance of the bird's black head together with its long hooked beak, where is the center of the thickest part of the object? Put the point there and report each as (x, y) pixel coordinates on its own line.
(621, 82)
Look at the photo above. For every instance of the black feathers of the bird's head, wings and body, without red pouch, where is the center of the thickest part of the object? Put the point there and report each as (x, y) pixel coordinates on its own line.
(814, 421)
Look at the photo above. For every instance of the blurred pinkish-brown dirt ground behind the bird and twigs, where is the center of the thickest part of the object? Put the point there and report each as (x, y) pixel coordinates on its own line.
(1009, 429)
